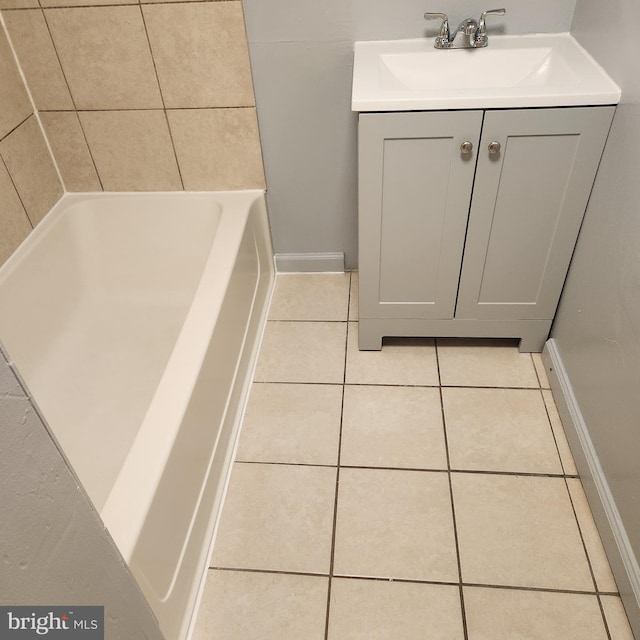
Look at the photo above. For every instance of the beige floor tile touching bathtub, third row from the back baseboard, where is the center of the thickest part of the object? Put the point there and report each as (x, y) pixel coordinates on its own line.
(294, 423)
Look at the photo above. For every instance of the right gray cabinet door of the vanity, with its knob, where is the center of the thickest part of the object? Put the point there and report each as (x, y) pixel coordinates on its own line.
(528, 203)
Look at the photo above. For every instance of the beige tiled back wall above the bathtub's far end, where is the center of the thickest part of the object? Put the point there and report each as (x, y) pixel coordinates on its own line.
(141, 97)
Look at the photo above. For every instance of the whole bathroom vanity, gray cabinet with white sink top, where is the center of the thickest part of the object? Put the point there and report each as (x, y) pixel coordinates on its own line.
(468, 216)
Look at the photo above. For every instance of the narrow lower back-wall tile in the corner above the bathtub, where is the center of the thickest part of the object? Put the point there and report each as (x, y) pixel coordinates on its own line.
(70, 150)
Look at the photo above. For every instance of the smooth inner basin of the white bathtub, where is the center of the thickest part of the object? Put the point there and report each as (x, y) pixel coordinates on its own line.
(94, 330)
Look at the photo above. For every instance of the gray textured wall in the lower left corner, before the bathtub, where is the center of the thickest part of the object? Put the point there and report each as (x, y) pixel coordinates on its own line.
(53, 545)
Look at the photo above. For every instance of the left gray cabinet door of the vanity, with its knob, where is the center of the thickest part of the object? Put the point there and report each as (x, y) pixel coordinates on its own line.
(414, 191)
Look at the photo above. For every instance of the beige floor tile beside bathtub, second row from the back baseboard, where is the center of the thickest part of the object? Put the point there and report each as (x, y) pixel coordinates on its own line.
(302, 352)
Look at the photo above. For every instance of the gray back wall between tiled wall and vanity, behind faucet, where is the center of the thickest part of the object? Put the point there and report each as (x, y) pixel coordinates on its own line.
(301, 55)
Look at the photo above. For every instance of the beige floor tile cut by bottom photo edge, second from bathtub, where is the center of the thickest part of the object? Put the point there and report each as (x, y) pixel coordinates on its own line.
(380, 610)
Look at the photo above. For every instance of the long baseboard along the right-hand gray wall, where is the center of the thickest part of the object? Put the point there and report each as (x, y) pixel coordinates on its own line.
(622, 558)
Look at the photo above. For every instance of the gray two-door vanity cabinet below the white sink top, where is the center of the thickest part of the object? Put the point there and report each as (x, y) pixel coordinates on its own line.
(468, 219)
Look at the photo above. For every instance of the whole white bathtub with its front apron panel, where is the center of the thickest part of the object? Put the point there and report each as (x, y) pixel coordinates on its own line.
(134, 320)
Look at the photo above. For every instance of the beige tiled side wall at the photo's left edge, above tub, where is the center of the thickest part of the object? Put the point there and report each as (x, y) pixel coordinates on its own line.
(29, 183)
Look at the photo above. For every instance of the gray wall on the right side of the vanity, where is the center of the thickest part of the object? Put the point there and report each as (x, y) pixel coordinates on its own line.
(597, 328)
